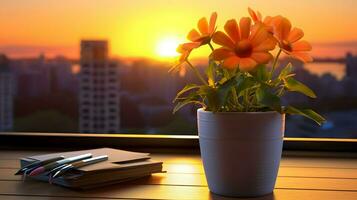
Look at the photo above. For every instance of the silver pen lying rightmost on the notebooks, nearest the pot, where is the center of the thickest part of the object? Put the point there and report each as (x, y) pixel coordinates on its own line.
(78, 164)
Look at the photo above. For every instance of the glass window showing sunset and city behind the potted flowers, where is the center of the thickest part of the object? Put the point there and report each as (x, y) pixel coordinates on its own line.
(48, 74)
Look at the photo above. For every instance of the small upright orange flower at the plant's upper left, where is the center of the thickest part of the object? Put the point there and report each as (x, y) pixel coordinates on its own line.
(206, 30)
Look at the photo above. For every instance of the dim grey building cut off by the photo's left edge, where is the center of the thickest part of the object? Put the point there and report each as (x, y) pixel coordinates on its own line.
(6, 95)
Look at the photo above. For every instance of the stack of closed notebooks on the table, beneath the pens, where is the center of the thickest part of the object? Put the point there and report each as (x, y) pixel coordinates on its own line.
(121, 166)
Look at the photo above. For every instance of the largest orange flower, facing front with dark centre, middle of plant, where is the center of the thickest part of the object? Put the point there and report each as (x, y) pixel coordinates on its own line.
(244, 46)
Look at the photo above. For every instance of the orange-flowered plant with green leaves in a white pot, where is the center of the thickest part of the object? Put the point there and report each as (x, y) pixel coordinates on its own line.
(241, 122)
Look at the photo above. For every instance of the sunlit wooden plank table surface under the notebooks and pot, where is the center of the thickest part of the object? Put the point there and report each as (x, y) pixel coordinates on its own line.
(299, 178)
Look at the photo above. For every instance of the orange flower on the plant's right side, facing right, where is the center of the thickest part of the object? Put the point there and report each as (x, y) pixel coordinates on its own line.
(289, 39)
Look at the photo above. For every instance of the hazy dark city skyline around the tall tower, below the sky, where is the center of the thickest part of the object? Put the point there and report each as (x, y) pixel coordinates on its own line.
(47, 90)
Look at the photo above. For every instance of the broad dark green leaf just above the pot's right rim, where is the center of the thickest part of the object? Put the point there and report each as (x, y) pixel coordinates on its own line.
(266, 98)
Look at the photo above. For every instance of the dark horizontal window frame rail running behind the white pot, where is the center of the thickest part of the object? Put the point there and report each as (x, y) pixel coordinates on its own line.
(157, 142)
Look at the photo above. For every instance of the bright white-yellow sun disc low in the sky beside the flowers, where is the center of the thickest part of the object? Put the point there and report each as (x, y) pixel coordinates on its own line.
(166, 47)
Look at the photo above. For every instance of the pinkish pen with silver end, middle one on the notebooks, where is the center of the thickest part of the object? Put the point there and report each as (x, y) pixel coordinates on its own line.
(50, 166)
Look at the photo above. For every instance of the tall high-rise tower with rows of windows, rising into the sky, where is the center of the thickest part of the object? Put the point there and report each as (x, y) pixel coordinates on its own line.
(99, 97)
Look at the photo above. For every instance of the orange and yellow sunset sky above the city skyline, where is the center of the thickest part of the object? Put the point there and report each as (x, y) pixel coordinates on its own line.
(139, 28)
